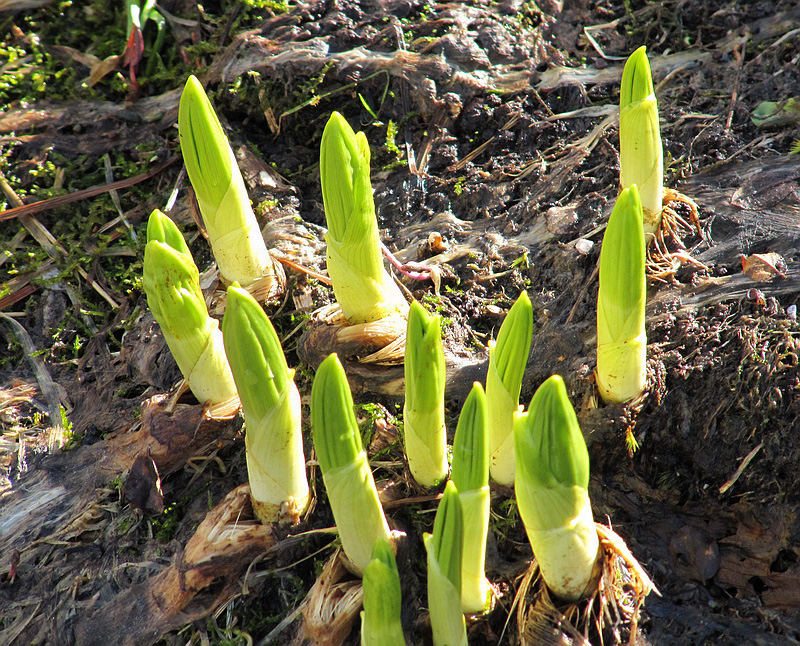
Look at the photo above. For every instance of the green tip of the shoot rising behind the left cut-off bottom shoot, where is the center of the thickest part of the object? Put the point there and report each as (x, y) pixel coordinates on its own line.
(333, 421)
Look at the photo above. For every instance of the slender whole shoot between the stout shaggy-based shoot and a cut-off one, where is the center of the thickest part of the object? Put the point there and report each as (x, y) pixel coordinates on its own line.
(471, 477)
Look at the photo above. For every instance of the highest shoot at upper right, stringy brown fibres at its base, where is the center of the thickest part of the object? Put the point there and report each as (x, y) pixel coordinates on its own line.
(641, 155)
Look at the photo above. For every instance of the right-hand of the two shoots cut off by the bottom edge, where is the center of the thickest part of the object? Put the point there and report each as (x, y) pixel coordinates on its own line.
(444, 549)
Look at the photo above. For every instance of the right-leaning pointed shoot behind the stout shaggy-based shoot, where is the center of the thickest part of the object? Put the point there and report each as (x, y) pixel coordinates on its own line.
(507, 359)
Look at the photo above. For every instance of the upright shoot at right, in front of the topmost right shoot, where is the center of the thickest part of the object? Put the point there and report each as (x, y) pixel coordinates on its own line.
(621, 372)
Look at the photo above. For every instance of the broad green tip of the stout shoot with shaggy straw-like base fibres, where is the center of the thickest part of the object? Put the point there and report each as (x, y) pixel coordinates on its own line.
(550, 446)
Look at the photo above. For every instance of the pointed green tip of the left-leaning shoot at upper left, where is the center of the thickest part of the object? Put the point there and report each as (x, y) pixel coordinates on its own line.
(205, 148)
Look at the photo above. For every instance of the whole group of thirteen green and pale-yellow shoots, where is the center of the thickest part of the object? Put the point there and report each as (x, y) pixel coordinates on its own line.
(540, 451)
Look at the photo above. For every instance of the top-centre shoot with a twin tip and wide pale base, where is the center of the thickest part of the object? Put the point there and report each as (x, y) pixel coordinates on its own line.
(364, 289)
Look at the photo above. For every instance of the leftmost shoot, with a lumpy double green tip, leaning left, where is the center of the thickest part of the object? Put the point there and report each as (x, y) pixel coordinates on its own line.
(172, 284)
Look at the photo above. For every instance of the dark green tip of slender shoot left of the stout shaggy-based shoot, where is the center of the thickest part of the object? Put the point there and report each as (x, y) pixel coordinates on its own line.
(470, 469)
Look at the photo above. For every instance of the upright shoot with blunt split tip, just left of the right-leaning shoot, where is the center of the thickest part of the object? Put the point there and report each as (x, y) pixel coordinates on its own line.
(423, 412)
